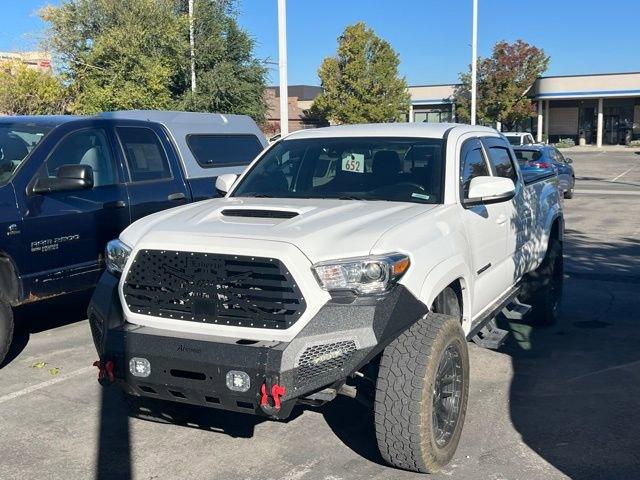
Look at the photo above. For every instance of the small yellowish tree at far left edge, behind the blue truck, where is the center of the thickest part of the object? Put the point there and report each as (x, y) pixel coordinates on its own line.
(26, 91)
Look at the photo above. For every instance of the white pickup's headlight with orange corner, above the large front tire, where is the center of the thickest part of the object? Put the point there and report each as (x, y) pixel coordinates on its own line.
(364, 275)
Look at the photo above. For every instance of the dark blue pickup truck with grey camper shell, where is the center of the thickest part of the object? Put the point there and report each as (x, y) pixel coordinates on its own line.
(70, 184)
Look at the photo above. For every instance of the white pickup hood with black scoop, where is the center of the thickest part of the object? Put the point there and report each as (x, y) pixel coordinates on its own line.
(322, 229)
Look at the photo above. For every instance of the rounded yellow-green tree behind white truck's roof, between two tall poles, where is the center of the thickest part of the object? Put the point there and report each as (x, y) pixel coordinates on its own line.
(361, 83)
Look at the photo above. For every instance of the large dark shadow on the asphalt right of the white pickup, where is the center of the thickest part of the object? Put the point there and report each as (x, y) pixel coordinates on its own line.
(576, 387)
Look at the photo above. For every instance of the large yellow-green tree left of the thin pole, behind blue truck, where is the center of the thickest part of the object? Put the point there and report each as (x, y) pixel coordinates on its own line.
(119, 55)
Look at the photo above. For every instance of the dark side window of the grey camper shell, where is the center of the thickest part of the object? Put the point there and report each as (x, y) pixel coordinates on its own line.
(223, 150)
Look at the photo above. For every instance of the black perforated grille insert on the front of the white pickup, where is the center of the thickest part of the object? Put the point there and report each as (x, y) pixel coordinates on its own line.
(213, 288)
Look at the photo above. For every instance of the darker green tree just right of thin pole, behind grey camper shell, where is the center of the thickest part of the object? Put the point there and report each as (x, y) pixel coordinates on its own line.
(229, 78)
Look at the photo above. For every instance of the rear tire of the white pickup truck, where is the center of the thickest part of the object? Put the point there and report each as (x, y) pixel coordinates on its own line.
(542, 288)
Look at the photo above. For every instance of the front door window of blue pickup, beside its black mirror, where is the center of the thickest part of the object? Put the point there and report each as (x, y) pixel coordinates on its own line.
(85, 147)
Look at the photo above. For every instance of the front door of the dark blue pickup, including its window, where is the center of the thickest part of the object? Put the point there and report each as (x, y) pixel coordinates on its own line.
(68, 230)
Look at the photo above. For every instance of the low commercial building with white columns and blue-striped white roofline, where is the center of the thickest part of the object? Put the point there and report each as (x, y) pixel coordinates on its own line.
(600, 109)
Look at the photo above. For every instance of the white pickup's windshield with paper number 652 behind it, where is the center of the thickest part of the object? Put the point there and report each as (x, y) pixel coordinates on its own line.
(391, 169)
